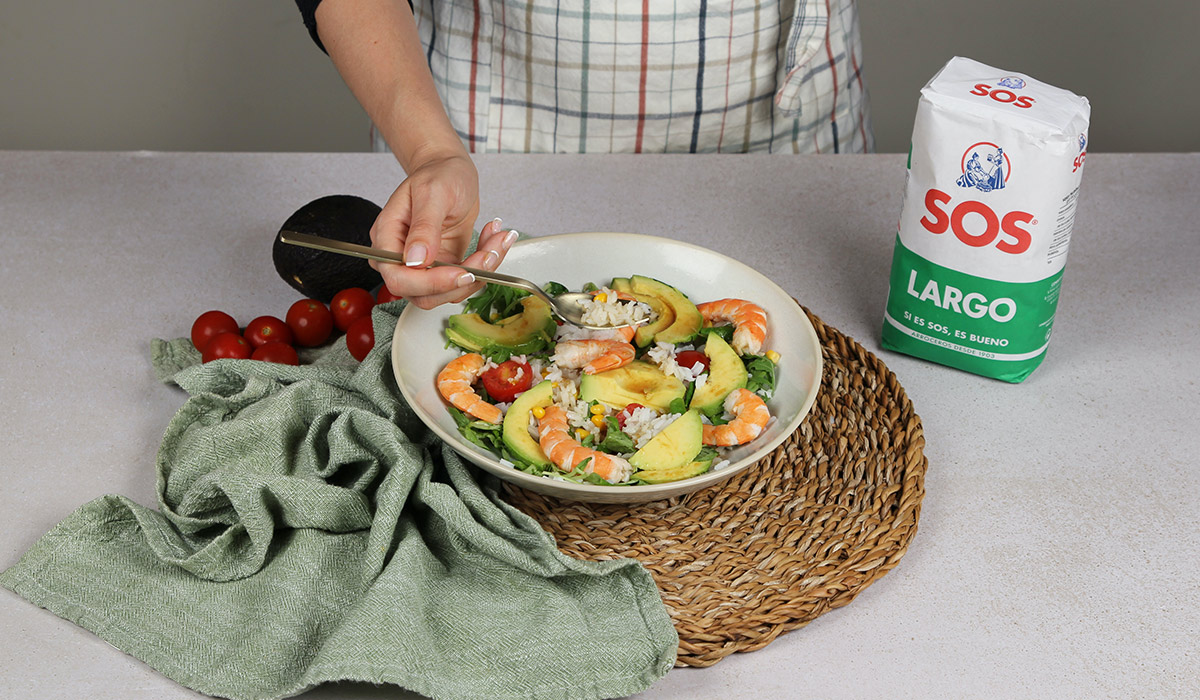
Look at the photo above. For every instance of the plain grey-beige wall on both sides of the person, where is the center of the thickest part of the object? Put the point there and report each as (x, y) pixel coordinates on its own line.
(244, 76)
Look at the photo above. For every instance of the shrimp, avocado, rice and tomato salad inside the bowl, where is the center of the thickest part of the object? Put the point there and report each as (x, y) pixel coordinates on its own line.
(663, 397)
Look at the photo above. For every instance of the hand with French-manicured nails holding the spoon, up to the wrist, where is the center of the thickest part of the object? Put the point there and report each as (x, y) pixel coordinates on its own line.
(431, 218)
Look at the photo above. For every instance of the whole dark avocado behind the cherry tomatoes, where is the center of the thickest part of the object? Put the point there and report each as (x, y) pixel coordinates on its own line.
(319, 274)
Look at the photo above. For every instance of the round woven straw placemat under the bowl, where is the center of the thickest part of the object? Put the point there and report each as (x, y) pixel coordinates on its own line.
(800, 534)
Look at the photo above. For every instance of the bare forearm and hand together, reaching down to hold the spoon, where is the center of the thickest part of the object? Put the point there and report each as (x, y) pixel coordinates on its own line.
(376, 49)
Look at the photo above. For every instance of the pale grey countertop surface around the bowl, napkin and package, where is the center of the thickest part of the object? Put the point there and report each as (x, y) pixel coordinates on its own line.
(1058, 553)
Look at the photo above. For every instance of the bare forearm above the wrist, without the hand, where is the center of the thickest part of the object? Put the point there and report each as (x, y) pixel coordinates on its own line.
(376, 49)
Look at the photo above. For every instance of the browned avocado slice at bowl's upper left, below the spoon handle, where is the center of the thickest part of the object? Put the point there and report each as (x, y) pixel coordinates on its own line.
(527, 332)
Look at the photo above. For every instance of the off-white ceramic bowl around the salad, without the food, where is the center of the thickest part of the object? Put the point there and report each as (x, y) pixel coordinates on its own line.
(577, 259)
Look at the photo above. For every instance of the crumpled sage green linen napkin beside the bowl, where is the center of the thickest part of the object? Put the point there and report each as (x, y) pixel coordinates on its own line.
(311, 529)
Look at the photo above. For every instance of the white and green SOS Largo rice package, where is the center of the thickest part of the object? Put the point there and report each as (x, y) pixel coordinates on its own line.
(994, 175)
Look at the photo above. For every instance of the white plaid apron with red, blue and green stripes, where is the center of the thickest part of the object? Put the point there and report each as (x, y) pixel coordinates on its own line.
(628, 76)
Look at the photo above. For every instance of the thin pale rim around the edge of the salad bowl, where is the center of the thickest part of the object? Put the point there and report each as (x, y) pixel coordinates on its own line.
(490, 462)
